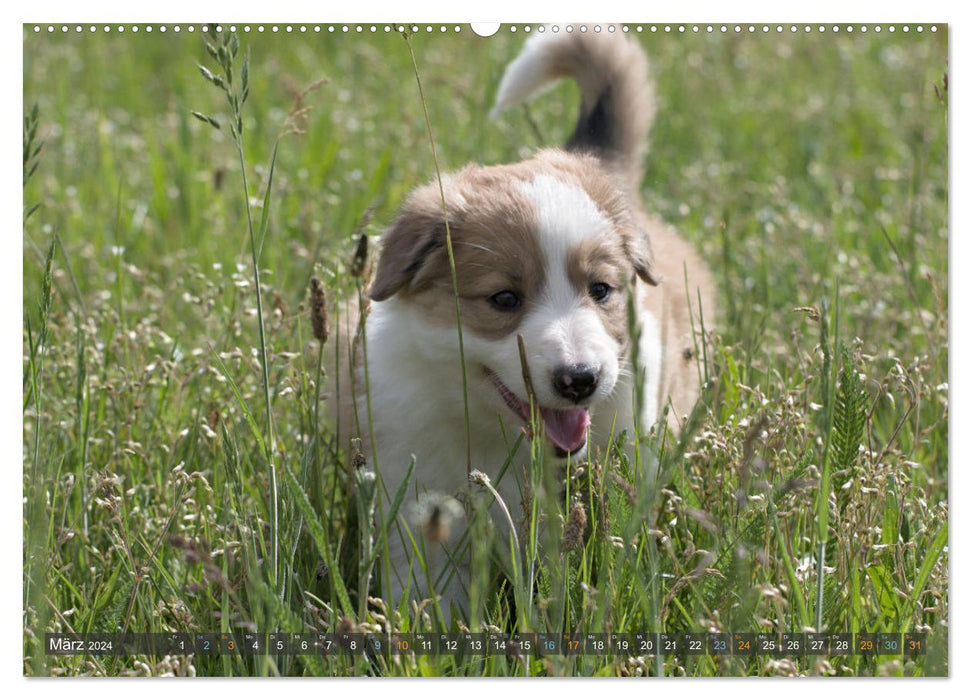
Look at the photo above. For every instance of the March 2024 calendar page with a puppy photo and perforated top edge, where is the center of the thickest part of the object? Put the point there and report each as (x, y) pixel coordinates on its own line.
(517, 350)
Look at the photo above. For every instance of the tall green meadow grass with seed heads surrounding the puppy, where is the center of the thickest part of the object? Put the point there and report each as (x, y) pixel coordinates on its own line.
(177, 476)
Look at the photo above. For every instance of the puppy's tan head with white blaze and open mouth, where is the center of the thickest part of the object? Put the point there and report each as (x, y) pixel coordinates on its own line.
(546, 249)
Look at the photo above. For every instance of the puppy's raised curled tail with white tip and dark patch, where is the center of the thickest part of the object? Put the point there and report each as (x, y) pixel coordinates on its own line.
(617, 96)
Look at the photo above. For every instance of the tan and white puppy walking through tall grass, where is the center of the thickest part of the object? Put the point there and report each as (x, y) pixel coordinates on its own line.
(551, 249)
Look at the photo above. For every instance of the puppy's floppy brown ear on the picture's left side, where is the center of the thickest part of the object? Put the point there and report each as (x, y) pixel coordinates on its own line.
(406, 247)
